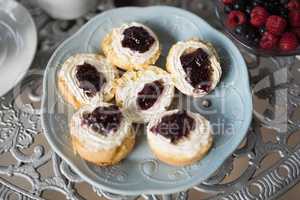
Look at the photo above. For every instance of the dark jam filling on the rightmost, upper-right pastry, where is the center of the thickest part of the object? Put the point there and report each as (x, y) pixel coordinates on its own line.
(197, 67)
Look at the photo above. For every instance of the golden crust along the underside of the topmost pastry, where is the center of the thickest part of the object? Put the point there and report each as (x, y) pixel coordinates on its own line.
(113, 57)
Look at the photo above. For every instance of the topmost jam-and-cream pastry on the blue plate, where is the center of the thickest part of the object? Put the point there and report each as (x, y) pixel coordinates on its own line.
(131, 46)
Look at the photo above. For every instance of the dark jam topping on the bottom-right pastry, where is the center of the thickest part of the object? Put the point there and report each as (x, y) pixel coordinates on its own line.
(175, 126)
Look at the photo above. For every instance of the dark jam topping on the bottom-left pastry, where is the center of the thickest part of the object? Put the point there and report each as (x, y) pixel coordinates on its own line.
(103, 120)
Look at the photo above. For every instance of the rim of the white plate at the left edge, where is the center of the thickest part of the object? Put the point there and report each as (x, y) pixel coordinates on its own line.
(20, 76)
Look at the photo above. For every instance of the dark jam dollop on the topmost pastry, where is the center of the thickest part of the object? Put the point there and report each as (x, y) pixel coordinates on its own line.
(137, 39)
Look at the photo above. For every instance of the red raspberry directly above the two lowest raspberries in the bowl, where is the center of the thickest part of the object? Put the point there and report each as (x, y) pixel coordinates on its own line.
(276, 24)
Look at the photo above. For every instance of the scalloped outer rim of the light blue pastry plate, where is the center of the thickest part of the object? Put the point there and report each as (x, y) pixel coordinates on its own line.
(47, 130)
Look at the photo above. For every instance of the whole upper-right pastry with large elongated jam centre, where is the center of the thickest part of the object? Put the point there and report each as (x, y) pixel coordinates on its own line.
(195, 67)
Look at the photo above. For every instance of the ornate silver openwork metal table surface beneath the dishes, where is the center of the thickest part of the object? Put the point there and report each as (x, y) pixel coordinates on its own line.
(265, 166)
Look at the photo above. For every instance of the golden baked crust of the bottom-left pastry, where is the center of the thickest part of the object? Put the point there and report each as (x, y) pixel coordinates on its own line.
(104, 157)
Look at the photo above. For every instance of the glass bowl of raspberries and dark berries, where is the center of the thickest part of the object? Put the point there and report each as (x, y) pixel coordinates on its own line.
(265, 27)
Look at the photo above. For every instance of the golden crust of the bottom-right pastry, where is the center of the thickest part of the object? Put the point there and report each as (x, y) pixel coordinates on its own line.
(180, 160)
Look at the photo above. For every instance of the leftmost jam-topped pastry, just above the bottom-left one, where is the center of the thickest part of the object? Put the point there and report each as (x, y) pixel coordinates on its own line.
(86, 78)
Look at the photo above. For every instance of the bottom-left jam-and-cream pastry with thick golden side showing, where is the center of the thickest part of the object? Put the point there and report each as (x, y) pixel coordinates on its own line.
(101, 134)
